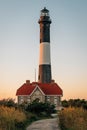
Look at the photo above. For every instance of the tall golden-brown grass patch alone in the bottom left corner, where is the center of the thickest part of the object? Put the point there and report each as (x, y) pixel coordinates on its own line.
(11, 119)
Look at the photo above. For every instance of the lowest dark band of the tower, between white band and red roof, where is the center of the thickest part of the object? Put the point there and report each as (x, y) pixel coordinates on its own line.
(44, 74)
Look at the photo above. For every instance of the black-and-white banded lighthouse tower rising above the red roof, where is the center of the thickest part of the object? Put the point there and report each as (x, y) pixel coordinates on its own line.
(44, 59)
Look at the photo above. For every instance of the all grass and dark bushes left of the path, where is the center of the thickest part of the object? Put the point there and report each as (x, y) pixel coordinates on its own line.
(17, 117)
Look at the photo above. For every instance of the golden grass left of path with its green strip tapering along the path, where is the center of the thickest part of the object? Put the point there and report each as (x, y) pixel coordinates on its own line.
(16, 119)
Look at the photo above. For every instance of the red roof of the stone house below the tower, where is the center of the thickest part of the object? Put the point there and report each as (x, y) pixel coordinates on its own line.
(47, 88)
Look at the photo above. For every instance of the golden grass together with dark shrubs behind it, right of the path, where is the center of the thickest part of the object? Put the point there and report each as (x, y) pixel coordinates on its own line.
(74, 115)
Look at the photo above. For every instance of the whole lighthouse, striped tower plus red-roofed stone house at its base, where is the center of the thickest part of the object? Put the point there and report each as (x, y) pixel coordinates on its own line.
(45, 90)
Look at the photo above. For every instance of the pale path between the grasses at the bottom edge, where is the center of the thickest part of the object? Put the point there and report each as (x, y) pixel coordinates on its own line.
(47, 124)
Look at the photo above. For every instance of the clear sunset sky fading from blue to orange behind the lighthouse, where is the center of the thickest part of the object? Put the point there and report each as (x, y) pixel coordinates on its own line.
(19, 45)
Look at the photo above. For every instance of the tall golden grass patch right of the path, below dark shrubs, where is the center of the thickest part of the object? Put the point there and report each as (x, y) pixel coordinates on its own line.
(73, 119)
